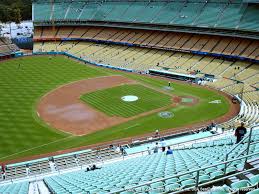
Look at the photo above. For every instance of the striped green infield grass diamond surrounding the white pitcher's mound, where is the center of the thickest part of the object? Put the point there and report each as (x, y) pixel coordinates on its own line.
(109, 100)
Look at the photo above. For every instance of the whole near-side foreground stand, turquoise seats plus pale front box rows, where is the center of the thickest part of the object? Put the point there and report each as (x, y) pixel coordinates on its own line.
(141, 171)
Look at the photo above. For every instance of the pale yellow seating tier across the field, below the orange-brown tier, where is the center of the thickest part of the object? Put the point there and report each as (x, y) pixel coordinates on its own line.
(143, 59)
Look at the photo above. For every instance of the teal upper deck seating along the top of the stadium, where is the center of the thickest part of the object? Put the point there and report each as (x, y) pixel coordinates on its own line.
(224, 14)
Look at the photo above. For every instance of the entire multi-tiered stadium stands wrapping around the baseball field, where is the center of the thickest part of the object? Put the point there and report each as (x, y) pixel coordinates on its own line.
(214, 42)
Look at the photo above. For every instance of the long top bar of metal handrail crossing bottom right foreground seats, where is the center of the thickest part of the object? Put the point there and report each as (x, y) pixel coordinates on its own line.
(181, 174)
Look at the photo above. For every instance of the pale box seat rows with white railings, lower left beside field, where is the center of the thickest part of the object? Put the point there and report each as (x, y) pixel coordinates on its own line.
(32, 168)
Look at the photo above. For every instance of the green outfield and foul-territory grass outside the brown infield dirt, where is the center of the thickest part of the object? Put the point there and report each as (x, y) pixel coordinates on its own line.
(24, 134)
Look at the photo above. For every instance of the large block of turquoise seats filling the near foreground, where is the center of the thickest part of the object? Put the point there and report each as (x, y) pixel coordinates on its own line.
(163, 173)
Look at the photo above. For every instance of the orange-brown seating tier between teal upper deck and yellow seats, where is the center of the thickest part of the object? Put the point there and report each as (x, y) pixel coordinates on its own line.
(166, 40)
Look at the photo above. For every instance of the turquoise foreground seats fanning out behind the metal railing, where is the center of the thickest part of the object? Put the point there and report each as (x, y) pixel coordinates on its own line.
(140, 170)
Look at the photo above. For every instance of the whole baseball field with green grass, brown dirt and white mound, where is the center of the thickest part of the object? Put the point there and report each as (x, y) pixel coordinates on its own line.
(55, 103)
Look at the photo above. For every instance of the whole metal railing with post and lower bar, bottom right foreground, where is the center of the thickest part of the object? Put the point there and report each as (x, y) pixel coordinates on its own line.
(197, 171)
